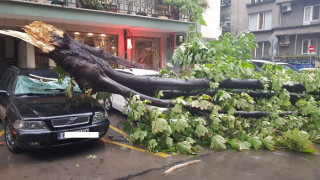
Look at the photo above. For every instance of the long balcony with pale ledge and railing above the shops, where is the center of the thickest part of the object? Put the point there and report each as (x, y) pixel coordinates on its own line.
(71, 13)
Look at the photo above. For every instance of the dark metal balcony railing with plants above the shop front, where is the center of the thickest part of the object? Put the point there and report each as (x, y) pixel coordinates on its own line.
(150, 8)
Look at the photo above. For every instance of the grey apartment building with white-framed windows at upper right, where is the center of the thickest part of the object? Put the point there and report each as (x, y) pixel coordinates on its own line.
(295, 23)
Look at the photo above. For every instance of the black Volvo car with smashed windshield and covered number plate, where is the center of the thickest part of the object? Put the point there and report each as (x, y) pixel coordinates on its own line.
(36, 114)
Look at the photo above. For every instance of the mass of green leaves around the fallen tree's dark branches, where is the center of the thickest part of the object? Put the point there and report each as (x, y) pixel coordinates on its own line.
(182, 130)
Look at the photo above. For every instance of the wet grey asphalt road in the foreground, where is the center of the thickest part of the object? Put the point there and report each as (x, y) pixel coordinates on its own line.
(117, 162)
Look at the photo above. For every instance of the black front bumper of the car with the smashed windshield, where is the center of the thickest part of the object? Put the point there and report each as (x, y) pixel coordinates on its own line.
(47, 138)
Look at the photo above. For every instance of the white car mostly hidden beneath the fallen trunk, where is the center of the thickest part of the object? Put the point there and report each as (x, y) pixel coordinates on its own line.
(119, 102)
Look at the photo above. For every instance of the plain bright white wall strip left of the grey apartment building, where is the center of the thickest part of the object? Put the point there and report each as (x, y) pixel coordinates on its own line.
(212, 18)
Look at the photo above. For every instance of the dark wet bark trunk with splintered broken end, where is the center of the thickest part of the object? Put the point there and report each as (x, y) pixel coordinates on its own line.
(90, 68)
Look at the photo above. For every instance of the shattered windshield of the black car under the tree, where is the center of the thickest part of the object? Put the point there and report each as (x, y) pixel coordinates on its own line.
(29, 85)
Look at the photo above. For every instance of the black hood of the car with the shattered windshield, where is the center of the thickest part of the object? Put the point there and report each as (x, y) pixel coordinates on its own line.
(46, 107)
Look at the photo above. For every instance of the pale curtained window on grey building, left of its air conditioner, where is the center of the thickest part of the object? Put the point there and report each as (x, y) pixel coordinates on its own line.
(260, 21)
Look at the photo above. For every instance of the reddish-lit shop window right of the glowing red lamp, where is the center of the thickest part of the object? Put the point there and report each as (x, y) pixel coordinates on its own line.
(147, 51)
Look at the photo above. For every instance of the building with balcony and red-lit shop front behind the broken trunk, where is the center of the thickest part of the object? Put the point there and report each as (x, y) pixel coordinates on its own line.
(132, 29)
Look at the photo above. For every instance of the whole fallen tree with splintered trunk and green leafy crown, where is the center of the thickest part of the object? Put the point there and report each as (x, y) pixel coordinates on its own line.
(210, 112)
